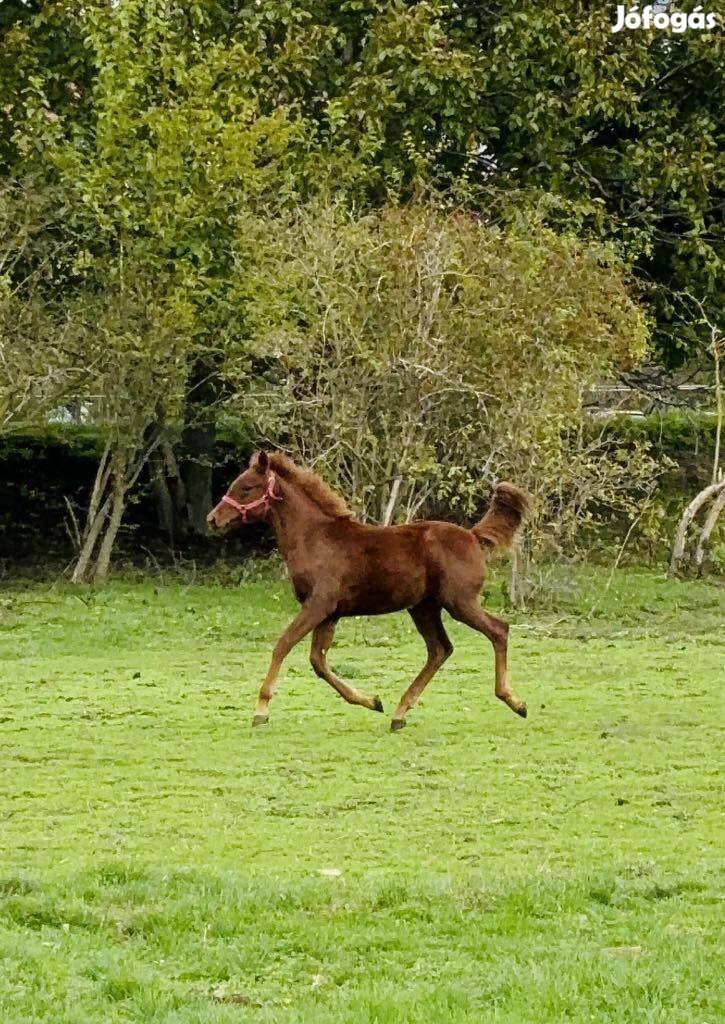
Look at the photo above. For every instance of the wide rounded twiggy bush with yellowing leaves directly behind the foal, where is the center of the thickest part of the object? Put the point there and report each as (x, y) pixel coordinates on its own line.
(444, 352)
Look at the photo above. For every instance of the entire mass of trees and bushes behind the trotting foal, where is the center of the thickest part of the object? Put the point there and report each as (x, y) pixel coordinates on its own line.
(403, 241)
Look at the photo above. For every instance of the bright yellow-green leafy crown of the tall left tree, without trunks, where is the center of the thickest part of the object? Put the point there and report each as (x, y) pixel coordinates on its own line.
(172, 154)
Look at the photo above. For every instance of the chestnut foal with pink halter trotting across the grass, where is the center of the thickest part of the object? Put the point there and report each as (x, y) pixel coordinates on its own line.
(343, 568)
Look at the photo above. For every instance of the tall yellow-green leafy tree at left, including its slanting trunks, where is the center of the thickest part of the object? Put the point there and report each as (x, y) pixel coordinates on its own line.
(172, 152)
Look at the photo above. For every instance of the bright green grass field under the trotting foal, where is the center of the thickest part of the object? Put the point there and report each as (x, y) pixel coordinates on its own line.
(162, 862)
